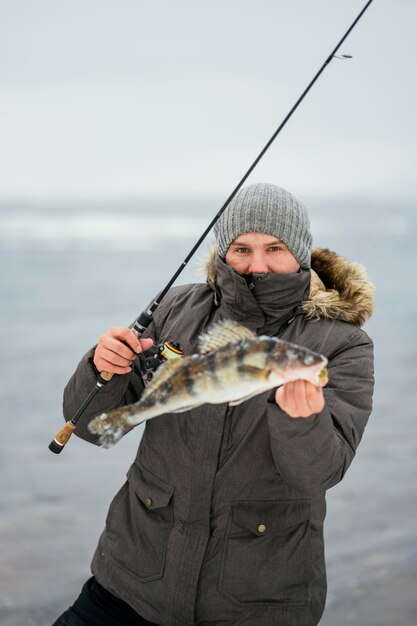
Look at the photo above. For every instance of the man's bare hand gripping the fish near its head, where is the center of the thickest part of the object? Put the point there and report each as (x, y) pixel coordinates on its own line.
(300, 398)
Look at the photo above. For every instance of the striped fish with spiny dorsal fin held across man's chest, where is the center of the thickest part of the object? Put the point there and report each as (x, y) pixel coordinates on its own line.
(232, 365)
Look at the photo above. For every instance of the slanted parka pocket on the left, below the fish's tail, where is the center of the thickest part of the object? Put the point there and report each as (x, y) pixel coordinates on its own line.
(139, 522)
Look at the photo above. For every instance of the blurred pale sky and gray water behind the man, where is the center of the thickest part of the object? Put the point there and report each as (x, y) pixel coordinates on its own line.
(124, 127)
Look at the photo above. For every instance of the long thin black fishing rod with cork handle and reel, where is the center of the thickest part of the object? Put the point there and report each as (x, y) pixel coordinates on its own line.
(145, 318)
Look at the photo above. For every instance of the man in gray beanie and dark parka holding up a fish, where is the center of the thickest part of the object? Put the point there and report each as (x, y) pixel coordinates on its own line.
(221, 519)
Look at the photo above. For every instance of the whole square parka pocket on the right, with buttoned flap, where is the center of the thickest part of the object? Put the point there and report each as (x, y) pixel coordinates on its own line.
(267, 553)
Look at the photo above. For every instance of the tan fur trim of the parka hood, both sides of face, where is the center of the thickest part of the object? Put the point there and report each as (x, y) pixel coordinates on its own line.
(339, 288)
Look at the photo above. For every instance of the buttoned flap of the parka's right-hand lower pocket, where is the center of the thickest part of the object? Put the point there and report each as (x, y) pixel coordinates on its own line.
(264, 517)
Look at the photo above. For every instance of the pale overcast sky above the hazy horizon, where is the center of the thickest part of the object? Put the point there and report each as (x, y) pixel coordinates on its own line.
(120, 98)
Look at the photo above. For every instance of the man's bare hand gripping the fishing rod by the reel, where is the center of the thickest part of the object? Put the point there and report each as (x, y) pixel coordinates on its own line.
(117, 348)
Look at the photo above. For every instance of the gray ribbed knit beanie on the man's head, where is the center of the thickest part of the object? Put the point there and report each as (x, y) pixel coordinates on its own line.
(265, 208)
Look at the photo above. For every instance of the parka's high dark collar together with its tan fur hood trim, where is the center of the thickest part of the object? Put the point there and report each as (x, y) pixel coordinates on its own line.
(335, 288)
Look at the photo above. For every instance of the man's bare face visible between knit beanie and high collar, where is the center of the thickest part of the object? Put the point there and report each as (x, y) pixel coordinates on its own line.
(256, 253)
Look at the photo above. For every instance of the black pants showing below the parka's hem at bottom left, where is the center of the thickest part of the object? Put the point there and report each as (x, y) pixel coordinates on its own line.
(95, 606)
